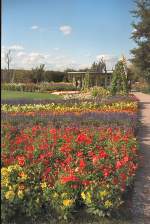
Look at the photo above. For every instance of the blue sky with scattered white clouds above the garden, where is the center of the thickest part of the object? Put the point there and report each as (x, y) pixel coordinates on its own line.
(66, 33)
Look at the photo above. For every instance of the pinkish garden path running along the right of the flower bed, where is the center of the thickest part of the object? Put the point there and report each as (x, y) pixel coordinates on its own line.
(141, 194)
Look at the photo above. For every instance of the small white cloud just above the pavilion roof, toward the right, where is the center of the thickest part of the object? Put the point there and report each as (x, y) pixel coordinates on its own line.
(110, 60)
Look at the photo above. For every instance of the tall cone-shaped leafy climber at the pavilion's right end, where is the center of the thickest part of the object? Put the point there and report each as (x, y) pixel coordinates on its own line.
(119, 79)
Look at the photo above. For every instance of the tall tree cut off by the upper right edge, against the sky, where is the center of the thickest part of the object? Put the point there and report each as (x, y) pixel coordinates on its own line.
(141, 36)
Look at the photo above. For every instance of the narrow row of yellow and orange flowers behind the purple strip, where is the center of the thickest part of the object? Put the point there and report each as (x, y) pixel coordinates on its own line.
(76, 108)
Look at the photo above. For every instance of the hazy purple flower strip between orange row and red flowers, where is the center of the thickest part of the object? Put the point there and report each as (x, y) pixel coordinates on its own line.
(84, 119)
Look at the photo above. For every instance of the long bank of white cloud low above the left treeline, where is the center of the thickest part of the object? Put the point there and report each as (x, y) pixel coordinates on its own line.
(28, 60)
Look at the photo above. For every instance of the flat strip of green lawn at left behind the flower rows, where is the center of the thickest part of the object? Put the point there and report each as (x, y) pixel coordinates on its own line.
(5, 95)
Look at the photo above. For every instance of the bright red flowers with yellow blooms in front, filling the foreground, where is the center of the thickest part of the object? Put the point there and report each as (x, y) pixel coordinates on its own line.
(60, 170)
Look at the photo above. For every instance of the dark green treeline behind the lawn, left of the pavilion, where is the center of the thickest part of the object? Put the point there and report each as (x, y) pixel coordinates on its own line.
(34, 76)
